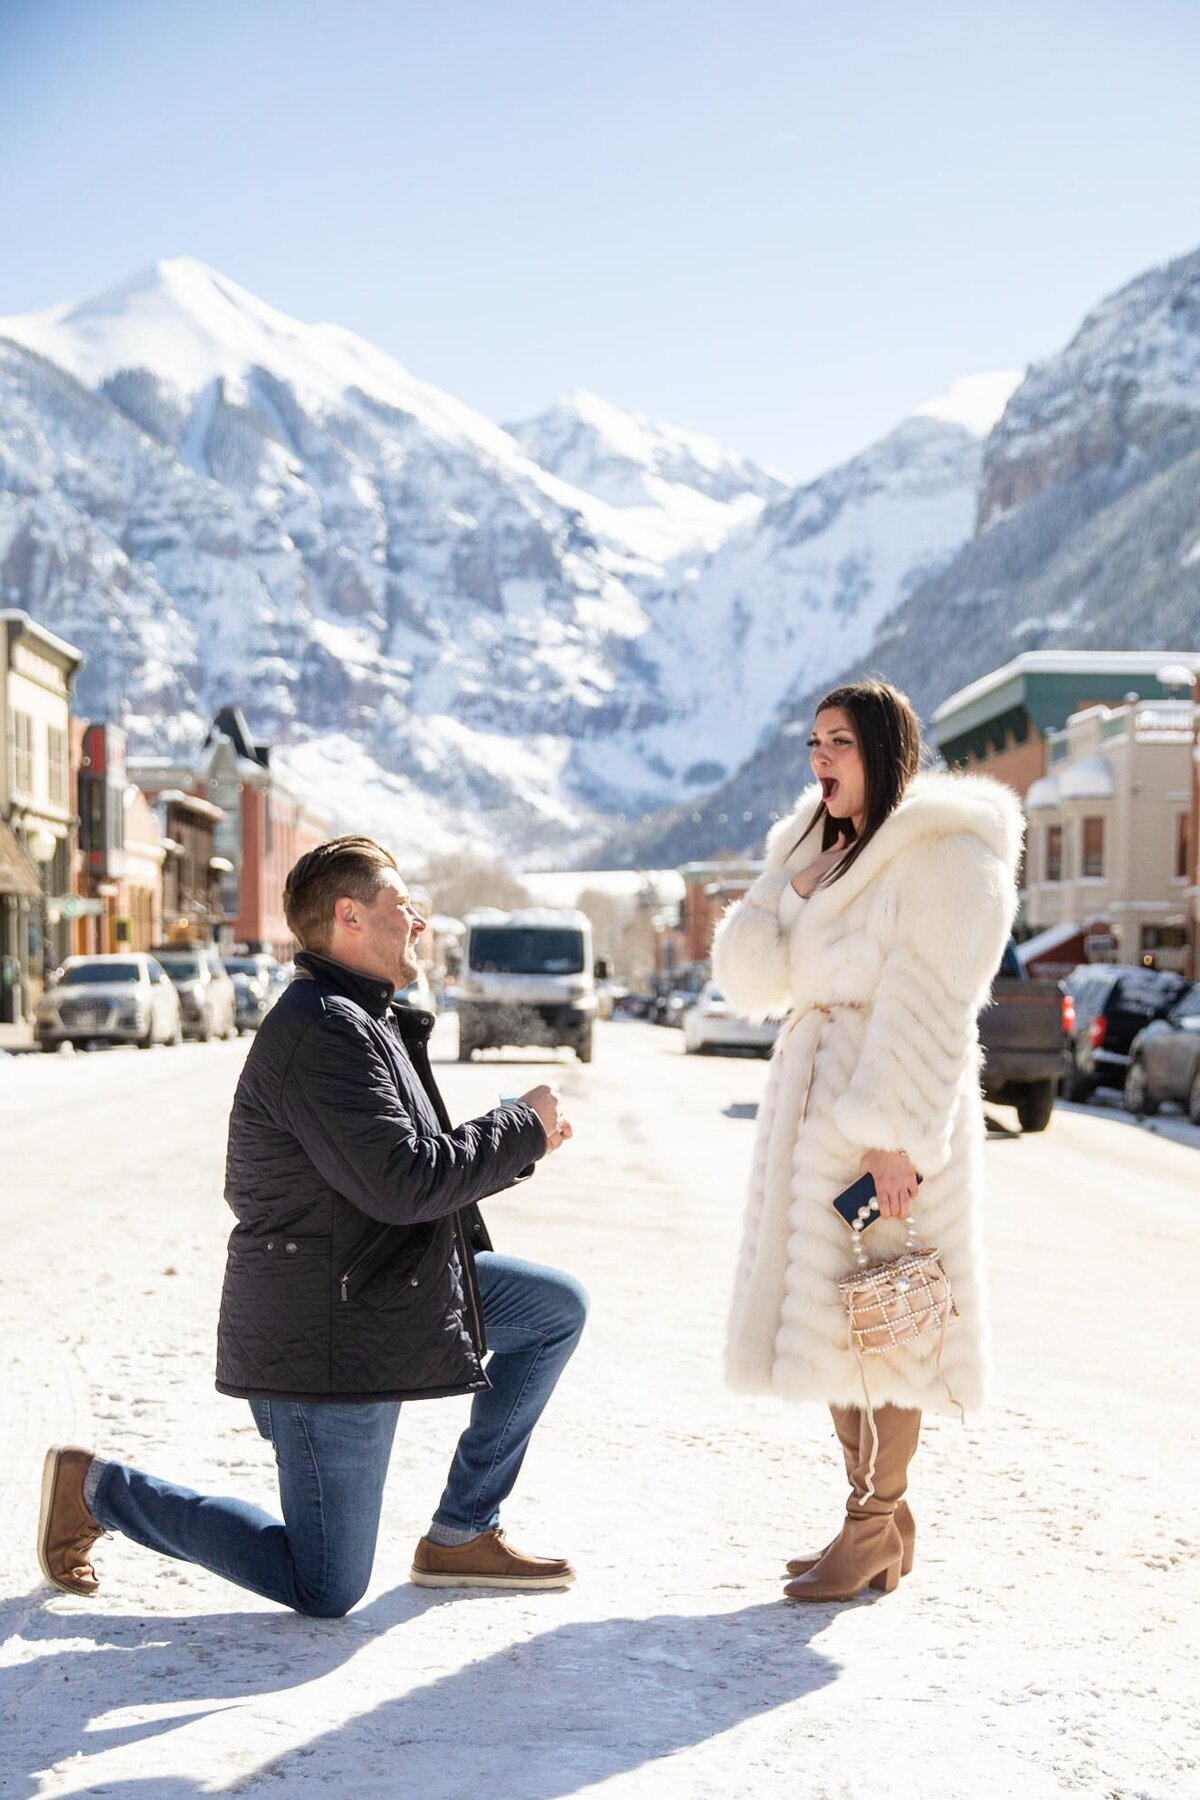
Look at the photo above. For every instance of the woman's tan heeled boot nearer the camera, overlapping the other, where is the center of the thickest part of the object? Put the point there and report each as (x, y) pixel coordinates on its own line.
(868, 1551)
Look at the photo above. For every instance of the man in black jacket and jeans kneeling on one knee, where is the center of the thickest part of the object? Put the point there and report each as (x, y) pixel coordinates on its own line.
(361, 1275)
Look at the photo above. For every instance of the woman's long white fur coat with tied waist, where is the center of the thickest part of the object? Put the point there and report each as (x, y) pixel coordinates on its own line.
(882, 976)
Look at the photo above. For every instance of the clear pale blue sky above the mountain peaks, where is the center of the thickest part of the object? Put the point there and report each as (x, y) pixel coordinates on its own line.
(778, 222)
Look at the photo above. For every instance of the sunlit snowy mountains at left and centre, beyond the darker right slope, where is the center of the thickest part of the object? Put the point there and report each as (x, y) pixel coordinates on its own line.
(452, 631)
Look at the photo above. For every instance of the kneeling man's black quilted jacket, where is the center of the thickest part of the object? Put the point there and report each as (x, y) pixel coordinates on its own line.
(350, 1270)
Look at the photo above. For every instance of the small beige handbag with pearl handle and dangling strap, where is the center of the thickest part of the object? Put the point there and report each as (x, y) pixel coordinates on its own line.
(893, 1304)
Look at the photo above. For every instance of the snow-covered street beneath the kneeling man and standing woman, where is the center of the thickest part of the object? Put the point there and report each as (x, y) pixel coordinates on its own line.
(1046, 1644)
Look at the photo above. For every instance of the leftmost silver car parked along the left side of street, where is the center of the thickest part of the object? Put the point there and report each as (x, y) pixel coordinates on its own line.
(109, 1000)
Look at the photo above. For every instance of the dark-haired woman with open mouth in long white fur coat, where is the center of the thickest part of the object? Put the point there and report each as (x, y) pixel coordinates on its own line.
(877, 926)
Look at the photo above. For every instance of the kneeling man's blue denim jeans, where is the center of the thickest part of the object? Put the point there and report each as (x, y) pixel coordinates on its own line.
(334, 1462)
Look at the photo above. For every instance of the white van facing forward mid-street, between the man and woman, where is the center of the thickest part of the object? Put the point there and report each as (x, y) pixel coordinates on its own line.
(526, 980)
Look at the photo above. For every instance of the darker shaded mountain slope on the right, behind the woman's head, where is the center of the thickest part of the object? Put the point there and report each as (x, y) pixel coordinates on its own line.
(1088, 537)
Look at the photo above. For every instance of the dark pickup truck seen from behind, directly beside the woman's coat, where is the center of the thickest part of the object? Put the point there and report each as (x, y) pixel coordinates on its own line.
(1023, 1039)
